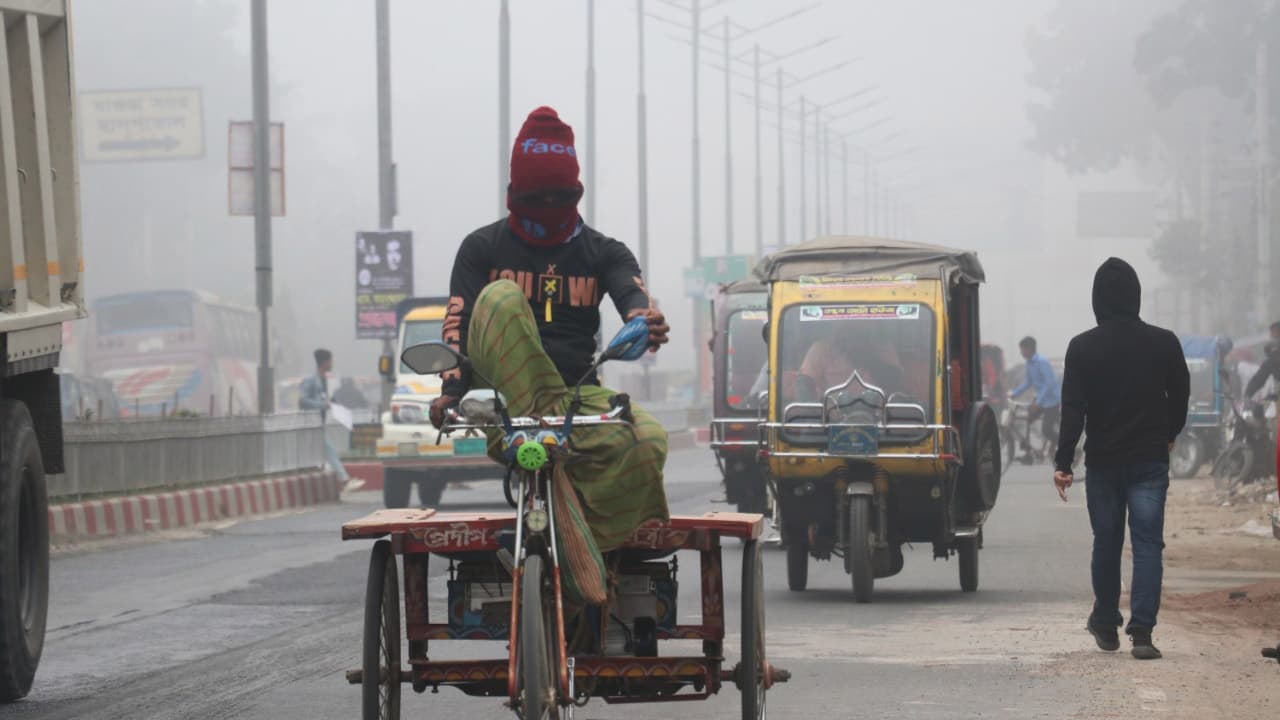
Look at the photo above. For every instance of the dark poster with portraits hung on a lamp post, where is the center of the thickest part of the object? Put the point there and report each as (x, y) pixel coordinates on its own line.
(385, 276)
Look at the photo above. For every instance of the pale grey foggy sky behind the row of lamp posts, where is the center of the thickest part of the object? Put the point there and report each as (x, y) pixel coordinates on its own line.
(953, 76)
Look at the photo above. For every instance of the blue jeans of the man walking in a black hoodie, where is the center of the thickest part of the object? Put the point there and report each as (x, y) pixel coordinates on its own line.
(1140, 489)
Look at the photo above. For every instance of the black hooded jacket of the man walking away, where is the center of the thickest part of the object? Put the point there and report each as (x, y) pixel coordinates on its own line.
(1126, 382)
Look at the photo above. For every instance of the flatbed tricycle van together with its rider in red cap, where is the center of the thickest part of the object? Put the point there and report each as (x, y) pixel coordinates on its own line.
(580, 582)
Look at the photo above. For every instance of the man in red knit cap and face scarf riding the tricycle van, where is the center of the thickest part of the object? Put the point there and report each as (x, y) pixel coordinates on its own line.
(524, 307)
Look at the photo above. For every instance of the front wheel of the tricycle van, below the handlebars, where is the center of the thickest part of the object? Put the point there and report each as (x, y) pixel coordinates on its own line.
(537, 662)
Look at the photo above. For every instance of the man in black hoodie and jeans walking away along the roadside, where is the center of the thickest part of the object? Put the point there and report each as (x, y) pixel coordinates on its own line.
(1128, 384)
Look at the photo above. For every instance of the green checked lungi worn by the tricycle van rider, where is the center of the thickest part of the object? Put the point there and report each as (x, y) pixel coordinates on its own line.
(618, 471)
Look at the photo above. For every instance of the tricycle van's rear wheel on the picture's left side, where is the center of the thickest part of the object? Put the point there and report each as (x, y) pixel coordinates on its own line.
(382, 682)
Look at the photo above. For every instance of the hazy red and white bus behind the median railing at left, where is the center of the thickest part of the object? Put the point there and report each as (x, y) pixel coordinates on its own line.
(176, 350)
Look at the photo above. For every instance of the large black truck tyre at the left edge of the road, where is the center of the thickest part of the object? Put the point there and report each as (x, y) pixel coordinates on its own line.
(24, 552)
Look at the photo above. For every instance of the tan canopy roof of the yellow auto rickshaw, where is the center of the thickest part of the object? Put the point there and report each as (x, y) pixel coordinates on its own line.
(863, 256)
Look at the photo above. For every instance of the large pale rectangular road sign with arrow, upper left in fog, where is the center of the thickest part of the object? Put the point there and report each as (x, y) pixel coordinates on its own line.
(141, 125)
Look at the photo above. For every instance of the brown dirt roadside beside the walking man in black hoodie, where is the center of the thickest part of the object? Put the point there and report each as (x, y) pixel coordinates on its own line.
(1222, 605)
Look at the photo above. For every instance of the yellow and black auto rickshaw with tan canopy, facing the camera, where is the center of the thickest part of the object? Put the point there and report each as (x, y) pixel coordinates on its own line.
(877, 432)
